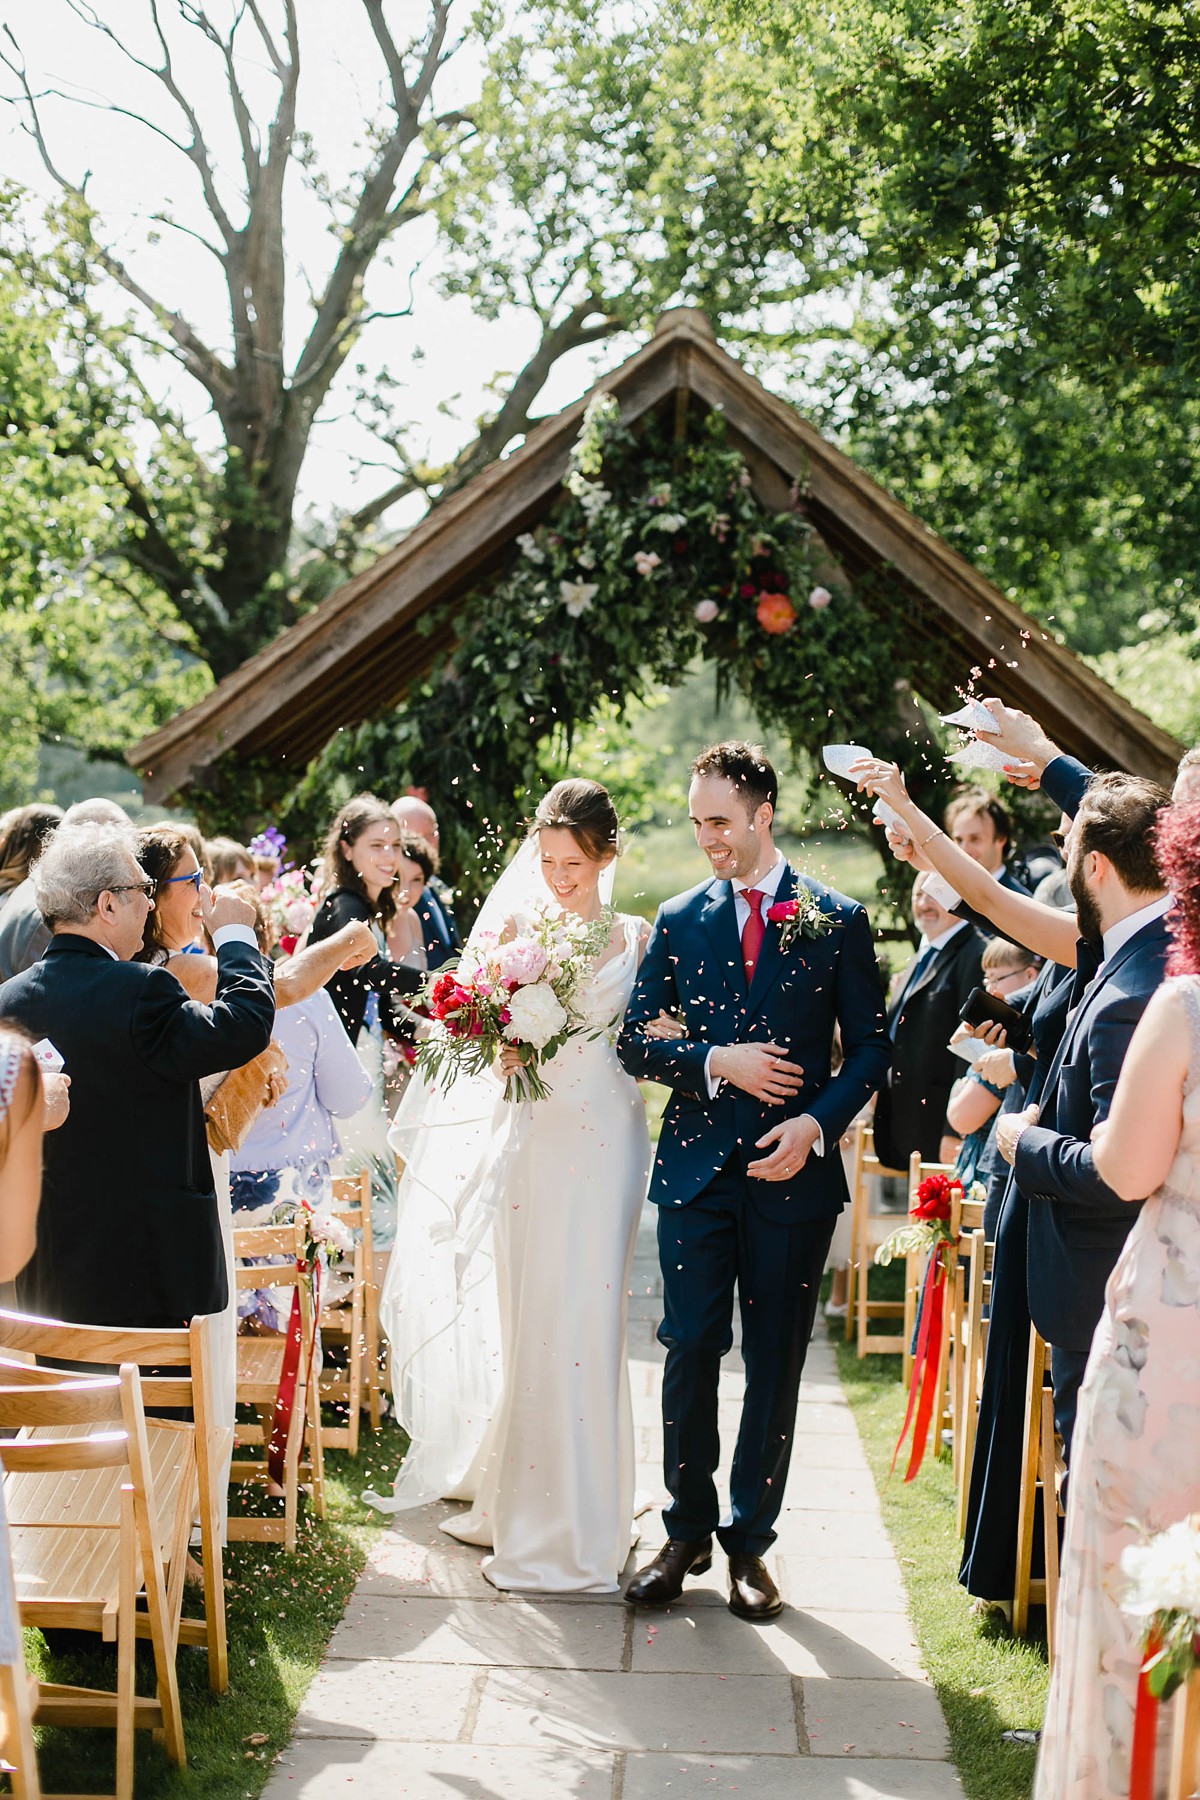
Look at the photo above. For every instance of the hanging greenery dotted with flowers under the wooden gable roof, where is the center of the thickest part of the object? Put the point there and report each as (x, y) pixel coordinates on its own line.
(656, 555)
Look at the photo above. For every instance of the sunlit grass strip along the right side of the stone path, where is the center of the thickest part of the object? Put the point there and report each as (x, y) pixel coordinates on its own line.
(985, 1678)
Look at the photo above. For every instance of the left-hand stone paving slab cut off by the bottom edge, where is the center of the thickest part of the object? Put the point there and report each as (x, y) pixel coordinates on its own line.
(440, 1772)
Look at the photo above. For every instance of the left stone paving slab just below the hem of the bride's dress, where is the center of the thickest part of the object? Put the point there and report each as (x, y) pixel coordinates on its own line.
(514, 1635)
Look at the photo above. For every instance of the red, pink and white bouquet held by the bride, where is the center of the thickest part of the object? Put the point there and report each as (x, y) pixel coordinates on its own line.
(523, 993)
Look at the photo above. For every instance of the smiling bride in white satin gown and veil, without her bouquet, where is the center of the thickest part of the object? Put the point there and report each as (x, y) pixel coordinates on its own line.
(506, 1295)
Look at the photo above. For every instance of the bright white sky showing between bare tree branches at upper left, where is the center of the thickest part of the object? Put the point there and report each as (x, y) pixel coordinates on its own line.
(443, 355)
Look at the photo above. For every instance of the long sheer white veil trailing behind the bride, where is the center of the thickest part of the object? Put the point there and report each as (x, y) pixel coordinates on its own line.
(440, 1304)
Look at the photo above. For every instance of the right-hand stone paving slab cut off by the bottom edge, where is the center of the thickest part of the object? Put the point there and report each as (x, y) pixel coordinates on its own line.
(658, 1777)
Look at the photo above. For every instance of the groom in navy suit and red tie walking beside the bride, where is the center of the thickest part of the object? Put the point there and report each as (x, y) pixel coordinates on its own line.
(748, 1178)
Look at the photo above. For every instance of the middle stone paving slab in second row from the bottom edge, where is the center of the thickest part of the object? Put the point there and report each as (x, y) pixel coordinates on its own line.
(645, 1713)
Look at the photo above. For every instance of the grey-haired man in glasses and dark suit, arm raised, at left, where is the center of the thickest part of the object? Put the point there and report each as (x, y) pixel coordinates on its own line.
(129, 1232)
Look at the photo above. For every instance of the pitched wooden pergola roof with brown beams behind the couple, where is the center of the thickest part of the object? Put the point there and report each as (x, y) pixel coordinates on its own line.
(364, 647)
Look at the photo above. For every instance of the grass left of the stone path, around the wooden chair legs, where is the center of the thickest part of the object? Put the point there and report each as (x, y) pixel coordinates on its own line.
(282, 1615)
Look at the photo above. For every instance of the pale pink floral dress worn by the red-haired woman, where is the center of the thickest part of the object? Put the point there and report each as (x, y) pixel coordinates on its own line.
(1134, 1470)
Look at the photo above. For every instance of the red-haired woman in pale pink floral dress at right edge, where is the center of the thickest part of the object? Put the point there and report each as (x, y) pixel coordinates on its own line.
(1136, 1455)
